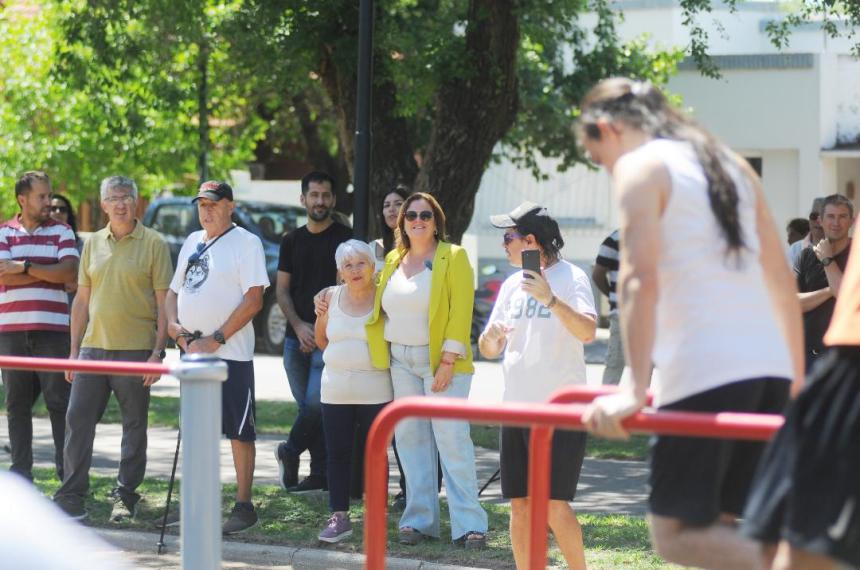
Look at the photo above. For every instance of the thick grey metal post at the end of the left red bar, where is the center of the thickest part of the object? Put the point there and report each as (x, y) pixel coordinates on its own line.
(200, 377)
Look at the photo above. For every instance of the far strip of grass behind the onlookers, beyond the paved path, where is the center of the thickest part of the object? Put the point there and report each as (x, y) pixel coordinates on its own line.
(277, 418)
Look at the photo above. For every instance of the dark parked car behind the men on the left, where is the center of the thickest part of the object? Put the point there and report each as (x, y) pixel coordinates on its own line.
(176, 218)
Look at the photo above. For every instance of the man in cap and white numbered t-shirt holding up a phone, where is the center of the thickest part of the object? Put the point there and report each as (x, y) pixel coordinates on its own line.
(540, 322)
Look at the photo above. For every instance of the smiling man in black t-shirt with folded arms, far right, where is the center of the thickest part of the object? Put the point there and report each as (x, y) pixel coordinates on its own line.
(819, 272)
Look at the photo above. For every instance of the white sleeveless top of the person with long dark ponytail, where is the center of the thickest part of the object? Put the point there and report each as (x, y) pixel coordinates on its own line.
(715, 321)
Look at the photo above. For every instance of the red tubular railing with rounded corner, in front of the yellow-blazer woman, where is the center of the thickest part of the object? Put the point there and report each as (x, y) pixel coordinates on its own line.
(569, 416)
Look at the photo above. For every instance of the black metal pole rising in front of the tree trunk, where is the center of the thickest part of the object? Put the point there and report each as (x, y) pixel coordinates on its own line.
(361, 171)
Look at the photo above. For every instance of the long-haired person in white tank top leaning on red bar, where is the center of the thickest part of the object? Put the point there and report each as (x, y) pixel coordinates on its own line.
(705, 294)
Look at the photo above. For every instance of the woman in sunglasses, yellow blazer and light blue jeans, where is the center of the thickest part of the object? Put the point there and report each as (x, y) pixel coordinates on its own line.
(420, 327)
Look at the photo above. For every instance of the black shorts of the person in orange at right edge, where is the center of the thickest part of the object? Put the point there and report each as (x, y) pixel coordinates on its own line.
(807, 490)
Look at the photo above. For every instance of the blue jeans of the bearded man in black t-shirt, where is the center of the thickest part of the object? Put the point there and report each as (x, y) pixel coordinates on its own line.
(304, 373)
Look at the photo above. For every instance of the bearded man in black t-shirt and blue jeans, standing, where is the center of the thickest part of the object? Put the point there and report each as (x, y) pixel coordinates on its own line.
(306, 266)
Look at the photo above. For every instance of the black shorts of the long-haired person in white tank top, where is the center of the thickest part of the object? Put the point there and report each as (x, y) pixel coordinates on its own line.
(695, 479)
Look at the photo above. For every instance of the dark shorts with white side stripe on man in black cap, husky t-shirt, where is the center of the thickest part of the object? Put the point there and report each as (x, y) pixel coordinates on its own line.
(238, 405)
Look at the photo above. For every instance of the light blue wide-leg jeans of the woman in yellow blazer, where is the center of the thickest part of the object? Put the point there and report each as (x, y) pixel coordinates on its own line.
(418, 441)
